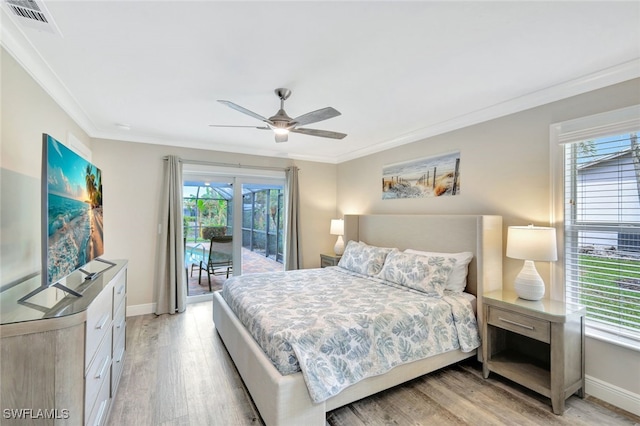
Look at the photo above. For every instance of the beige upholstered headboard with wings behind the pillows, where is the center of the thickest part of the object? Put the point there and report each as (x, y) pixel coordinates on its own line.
(479, 234)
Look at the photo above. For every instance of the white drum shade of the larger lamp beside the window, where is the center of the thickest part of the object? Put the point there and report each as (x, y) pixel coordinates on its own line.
(532, 243)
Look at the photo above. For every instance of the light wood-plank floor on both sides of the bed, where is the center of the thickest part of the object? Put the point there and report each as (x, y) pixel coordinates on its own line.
(177, 372)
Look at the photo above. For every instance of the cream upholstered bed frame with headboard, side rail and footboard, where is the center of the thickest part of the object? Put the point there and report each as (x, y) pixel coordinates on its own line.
(285, 400)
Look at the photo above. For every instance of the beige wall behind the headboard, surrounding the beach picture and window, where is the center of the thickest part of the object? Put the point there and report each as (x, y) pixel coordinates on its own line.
(505, 170)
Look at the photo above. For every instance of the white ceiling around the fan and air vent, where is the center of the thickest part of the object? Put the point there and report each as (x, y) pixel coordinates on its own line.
(397, 71)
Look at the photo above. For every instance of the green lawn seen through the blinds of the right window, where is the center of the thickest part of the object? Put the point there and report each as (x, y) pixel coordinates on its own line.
(611, 288)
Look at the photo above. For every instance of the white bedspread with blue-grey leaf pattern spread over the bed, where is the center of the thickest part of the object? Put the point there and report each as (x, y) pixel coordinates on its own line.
(340, 327)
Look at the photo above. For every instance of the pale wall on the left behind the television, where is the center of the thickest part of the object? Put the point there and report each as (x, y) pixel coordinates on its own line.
(27, 112)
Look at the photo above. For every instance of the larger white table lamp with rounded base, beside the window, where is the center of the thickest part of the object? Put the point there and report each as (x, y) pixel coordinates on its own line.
(531, 243)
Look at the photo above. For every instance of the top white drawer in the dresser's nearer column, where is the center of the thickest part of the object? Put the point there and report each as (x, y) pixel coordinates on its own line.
(99, 316)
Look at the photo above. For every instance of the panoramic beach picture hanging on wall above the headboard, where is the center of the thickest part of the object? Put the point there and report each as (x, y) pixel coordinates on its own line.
(435, 176)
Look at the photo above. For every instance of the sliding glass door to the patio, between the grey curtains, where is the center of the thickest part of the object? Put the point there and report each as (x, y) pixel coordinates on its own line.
(233, 224)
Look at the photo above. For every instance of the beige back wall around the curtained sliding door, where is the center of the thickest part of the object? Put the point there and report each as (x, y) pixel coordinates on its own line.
(132, 178)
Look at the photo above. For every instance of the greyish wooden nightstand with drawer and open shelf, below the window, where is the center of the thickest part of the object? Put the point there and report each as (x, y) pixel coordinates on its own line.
(538, 344)
